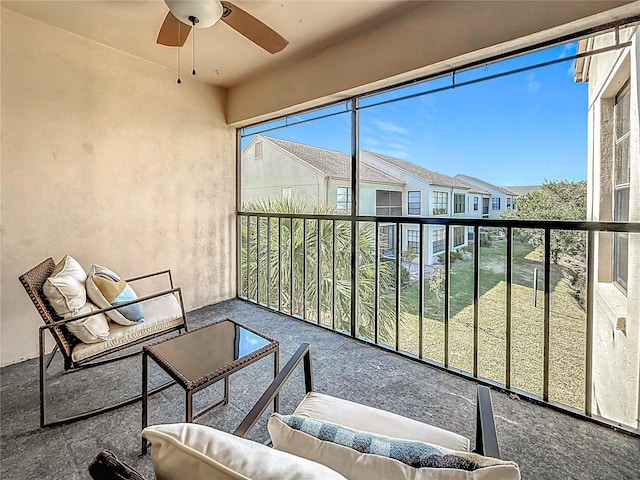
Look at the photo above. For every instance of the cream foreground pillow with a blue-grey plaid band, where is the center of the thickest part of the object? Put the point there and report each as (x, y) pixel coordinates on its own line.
(371, 456)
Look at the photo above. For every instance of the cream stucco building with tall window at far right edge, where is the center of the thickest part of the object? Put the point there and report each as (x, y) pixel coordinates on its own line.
(613, 186)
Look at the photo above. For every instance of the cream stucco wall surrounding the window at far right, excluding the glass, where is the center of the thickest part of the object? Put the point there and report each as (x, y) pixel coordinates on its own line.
(616, 357)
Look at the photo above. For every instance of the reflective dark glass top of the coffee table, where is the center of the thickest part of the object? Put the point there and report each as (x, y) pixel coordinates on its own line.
(203, 351)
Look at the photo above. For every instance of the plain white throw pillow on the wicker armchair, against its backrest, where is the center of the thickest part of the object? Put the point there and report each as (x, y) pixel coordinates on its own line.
(65, 288)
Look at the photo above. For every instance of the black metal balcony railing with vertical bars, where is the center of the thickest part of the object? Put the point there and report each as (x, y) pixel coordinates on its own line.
(301, 265)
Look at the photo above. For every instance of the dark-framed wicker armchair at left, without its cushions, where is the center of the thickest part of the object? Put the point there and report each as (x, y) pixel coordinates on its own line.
(66, 343)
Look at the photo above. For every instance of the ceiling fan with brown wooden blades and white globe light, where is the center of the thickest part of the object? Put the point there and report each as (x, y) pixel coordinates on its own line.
(185, 14)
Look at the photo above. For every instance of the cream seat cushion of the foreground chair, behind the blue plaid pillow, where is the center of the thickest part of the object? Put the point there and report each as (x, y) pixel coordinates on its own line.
(361, 417)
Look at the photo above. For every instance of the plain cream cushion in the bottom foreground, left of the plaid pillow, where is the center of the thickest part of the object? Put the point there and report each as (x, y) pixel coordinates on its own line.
(198, 452)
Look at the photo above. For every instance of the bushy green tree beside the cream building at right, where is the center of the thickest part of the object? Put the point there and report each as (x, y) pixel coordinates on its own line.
(556, 200)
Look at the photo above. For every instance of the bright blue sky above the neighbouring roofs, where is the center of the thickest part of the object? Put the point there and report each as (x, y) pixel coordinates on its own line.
(520, 129)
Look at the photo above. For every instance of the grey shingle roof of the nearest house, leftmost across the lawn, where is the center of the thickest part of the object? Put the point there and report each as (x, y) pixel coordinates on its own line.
(331, 162)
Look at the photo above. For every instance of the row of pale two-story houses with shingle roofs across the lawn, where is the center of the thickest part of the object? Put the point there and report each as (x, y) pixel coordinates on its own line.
(275, 168)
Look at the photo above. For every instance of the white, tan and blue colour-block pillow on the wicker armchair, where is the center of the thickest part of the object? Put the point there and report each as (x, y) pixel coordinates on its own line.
(105, 288)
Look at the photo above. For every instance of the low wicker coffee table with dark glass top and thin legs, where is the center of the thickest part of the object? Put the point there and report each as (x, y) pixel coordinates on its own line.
(202, 357)
